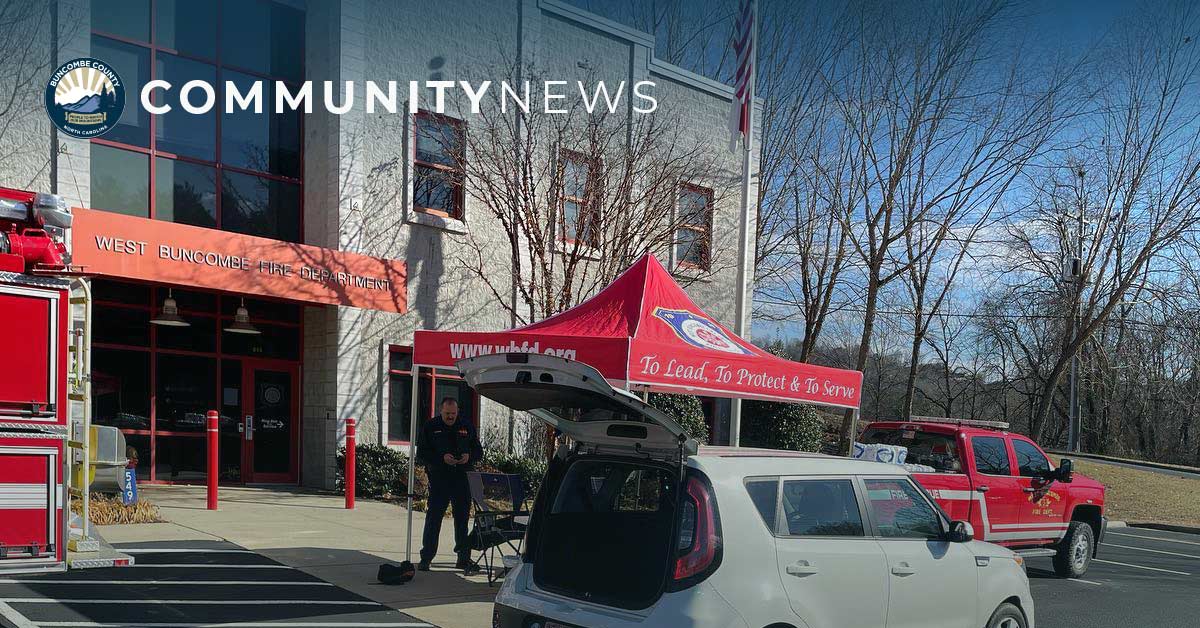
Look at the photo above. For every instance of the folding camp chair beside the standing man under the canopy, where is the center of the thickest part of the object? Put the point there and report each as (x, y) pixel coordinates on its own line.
(501, 517)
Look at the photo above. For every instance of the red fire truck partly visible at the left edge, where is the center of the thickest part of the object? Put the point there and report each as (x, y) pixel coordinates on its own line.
(34, 319)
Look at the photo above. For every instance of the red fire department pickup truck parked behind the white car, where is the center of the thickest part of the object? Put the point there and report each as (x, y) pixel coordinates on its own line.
(1003, 485)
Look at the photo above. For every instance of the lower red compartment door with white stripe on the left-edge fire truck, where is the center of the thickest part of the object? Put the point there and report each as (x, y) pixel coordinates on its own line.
(28, 504)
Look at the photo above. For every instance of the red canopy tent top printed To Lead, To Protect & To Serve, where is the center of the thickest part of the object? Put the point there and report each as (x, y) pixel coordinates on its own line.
(644, 332)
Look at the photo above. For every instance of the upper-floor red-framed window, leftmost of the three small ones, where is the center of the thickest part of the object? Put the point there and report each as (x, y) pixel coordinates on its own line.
(439, 172)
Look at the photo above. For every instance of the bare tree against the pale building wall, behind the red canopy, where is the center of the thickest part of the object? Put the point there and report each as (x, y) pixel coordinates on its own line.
(580, 195)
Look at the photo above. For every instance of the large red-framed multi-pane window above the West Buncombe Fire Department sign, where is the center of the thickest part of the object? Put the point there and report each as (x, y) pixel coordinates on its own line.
(241, 172)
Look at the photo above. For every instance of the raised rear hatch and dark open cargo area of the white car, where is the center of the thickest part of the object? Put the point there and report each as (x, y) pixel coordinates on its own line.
(604, 528)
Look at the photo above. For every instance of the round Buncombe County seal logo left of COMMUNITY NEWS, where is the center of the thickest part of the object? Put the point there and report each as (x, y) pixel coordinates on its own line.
(85, 98)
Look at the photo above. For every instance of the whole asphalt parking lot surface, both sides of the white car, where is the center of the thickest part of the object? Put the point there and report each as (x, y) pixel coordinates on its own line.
(1142, 578)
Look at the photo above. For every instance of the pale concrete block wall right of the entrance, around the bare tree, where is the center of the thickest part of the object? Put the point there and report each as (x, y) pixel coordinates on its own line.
(368, 177)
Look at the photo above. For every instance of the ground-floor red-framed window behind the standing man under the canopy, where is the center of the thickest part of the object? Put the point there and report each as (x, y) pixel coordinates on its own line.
(435, 386)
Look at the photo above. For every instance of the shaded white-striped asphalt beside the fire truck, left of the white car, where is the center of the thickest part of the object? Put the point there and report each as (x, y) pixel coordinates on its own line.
(187, 585)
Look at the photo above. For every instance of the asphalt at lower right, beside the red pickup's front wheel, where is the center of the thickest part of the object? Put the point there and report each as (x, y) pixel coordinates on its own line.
(1142, 578)
